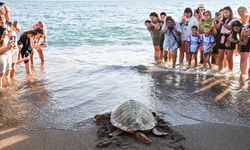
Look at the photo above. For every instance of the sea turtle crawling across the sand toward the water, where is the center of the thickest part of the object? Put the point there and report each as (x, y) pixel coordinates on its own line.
(133, 117)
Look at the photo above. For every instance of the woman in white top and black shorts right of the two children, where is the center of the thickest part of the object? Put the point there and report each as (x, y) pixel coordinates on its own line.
(226, 23)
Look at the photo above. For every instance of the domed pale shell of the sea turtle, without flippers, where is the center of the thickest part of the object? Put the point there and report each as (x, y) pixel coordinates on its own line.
(133, 116)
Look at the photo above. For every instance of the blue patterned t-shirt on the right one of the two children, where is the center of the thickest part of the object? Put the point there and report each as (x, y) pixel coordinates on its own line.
(207, 42)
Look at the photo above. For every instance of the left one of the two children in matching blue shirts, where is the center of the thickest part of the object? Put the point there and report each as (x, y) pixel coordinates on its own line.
(194, 44)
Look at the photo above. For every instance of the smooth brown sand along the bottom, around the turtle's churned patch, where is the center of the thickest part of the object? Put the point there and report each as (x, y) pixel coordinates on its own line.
(198, 137)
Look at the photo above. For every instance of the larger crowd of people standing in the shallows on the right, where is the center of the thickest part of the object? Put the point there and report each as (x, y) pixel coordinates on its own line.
(214, 40)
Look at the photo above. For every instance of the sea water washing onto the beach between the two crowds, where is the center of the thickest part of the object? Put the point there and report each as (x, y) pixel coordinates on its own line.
(97, 56)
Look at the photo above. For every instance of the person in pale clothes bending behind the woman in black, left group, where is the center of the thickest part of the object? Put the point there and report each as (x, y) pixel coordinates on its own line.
(41, 44)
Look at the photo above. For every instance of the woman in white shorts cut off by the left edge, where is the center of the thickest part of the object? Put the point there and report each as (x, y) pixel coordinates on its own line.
(4, 54)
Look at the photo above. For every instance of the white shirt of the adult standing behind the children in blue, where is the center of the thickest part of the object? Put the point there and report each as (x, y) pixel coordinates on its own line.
(187, 28)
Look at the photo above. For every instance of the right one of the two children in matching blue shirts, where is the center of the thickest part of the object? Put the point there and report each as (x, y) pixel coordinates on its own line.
(208, 42)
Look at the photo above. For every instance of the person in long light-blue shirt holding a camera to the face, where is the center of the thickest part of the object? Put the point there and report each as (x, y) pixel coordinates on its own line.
(172, 32)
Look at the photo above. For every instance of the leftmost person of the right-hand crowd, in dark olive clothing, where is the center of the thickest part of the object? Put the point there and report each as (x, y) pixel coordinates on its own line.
(154, 27)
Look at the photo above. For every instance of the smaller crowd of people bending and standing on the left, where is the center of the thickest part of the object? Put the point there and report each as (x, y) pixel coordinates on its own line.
(15, 51)
